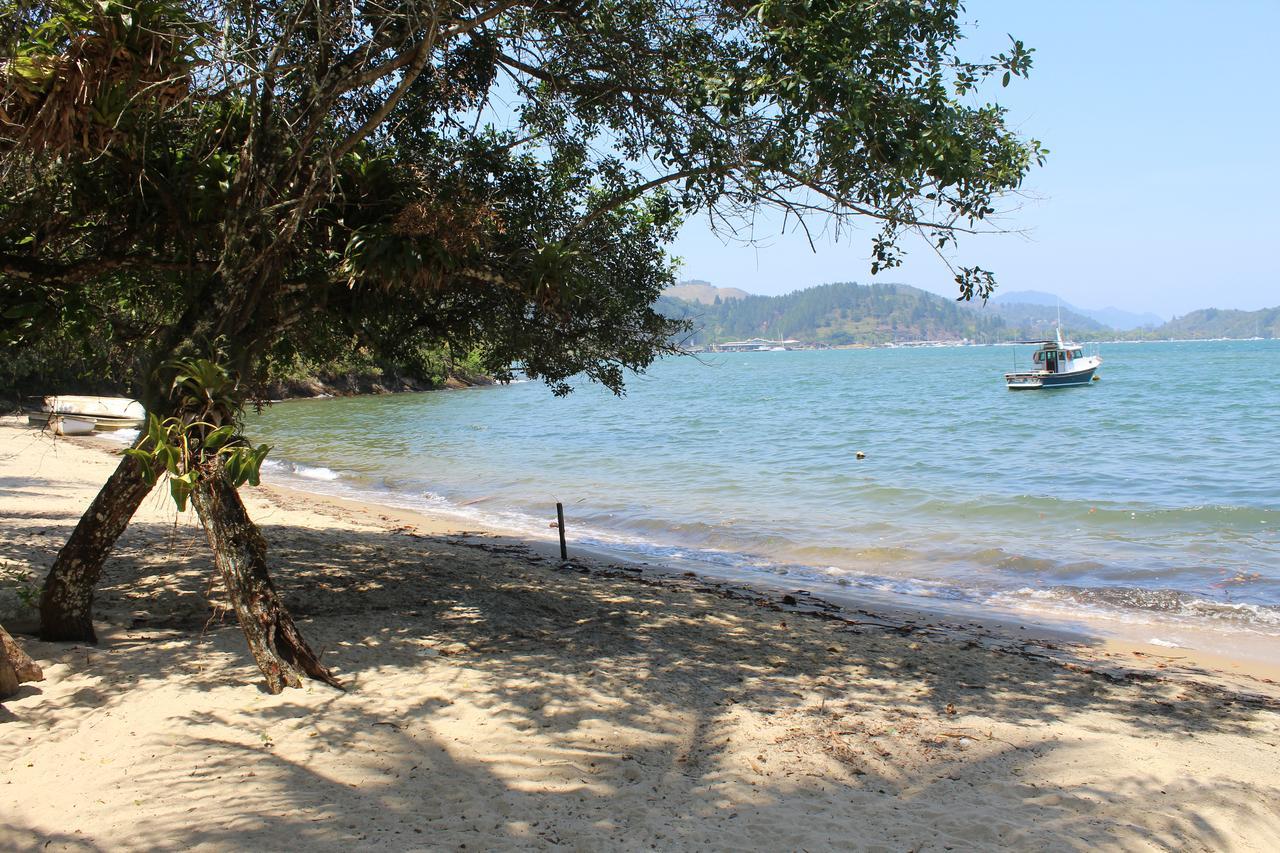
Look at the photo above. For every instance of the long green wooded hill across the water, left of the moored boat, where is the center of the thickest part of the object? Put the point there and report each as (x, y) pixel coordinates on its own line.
(840, 314)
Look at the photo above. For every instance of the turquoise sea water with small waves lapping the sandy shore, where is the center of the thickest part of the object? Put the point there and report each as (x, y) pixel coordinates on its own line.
(1151, 494)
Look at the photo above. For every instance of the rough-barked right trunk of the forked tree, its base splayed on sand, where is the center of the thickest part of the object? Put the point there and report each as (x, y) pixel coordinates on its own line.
(240, 554)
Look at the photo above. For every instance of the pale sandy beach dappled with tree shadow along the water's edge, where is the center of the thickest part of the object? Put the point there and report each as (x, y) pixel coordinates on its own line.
(500, 701)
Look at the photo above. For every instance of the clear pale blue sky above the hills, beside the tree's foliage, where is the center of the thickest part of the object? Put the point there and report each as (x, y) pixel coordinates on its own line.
(1163, 121)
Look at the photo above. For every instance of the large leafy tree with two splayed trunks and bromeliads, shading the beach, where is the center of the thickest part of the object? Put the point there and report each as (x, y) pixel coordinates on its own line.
(217, 185)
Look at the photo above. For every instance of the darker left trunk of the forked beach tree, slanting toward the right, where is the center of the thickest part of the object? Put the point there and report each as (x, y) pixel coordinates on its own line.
(67, 600)
